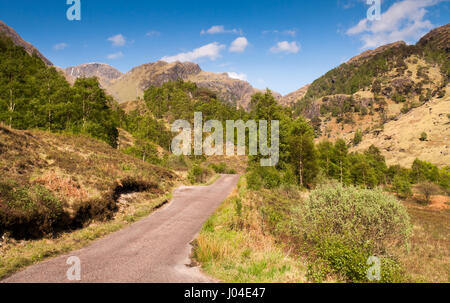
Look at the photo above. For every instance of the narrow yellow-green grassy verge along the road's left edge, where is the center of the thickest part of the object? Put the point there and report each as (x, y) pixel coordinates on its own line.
(17, 255)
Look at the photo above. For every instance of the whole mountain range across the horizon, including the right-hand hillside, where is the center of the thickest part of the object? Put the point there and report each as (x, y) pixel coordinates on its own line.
(390, 94)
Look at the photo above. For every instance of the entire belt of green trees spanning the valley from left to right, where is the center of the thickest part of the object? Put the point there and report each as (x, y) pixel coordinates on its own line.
(33, 95)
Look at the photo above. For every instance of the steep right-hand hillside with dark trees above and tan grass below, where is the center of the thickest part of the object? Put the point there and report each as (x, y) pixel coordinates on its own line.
(388, 94)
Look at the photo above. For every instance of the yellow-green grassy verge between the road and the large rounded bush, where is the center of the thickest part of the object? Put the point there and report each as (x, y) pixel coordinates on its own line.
(233, 245)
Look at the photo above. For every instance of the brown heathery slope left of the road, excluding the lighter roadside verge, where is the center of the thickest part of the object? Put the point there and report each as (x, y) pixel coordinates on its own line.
(53, 182)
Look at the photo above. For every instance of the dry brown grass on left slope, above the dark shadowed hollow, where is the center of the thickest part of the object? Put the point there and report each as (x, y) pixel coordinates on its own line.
(73, 167)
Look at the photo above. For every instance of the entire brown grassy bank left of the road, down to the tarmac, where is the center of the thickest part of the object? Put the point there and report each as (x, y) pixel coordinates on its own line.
(58, 192)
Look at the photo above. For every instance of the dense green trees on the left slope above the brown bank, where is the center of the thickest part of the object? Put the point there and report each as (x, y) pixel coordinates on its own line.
(33, 95)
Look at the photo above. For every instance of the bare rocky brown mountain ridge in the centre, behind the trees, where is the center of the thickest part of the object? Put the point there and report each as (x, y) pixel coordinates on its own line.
(132, 85)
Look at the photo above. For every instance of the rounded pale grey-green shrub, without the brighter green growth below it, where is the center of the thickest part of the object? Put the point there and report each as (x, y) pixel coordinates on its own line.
(361, 215)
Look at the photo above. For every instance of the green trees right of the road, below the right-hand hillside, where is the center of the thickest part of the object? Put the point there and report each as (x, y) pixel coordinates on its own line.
(305, 163)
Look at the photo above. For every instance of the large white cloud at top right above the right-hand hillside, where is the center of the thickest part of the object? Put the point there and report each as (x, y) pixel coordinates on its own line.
(404, 20)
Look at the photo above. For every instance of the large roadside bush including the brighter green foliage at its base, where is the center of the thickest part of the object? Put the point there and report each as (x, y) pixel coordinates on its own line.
(348, 225)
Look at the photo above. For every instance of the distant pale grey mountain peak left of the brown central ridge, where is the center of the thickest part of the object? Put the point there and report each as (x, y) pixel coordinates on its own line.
(104, 72)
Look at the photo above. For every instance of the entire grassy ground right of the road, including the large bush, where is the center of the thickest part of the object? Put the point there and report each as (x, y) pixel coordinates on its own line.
(261, 236)
